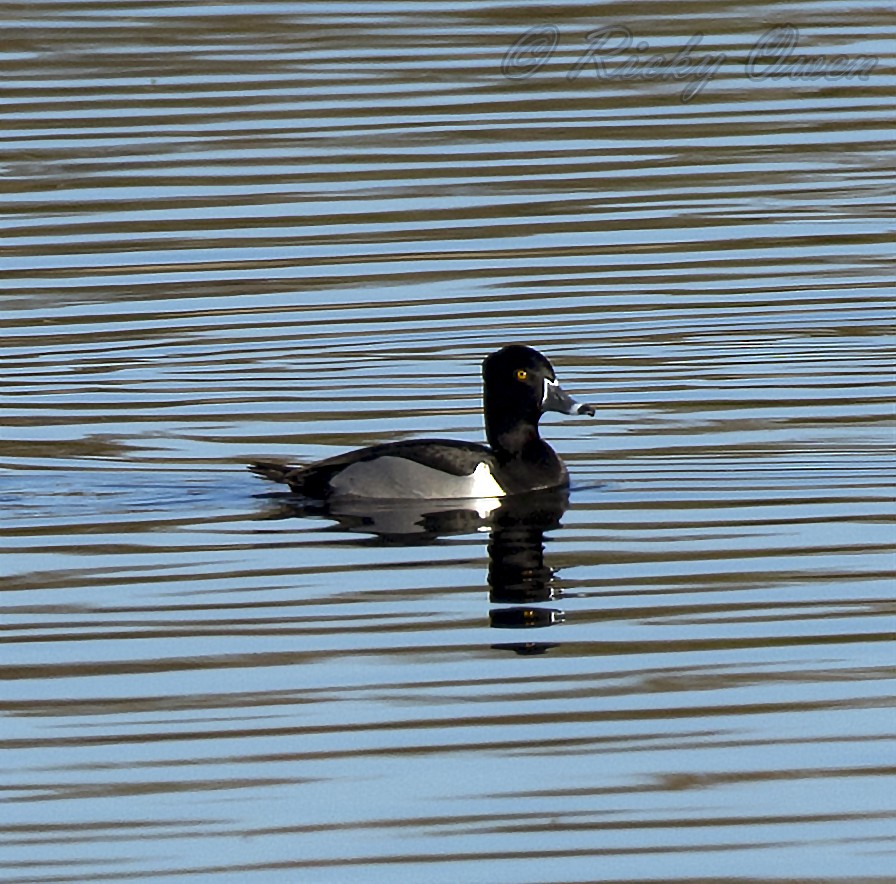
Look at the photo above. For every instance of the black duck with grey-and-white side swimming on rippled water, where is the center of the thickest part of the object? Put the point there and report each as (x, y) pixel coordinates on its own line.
(519, 386)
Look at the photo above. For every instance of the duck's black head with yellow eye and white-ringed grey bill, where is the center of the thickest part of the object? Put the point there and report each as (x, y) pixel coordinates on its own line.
(520, 385)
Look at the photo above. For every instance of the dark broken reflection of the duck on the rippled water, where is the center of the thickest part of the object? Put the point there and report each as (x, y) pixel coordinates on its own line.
(519, 580)
